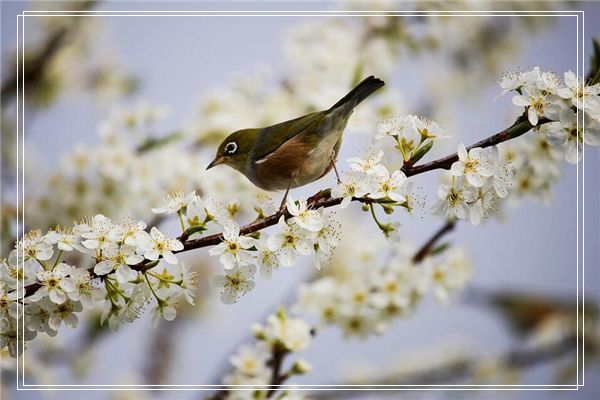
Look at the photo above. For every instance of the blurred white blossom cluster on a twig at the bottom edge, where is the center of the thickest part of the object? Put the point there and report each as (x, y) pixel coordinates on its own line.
(254, 365)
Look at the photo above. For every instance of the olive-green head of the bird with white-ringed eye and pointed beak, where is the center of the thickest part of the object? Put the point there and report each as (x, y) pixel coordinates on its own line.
(235, 150)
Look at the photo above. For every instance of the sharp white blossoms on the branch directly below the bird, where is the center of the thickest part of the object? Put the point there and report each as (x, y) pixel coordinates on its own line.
(308, 231)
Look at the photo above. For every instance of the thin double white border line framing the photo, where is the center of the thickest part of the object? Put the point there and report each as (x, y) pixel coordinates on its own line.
(20, 193)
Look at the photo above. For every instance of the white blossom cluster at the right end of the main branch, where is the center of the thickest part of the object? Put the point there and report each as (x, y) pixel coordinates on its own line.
(565, 115)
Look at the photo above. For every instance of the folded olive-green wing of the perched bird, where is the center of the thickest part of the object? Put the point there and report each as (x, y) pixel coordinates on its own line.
(274, 136)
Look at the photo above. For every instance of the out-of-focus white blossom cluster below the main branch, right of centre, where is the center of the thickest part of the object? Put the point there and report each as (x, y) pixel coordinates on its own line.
(365, 301)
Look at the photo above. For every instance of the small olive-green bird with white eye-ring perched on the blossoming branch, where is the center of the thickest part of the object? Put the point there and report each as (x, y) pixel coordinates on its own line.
(293, 153)
